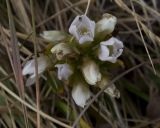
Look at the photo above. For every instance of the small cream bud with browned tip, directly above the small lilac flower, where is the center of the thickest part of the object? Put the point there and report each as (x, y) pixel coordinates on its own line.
(61, 50)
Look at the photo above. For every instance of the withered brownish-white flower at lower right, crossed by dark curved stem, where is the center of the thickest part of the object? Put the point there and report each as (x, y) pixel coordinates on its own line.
(111, 90)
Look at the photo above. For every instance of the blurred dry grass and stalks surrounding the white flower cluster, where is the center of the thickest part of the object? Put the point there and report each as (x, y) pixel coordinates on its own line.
(138, 27)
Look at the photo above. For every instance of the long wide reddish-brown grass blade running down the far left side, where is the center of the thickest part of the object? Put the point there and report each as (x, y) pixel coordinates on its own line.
(16, 61)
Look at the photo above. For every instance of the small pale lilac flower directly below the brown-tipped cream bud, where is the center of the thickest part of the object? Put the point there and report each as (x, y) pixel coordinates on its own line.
(64, 71)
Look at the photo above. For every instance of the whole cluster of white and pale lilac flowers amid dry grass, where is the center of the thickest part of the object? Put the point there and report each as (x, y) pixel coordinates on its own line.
(79, 55)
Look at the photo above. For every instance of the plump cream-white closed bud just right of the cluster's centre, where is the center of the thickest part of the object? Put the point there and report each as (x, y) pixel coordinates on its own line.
(91, 72)
